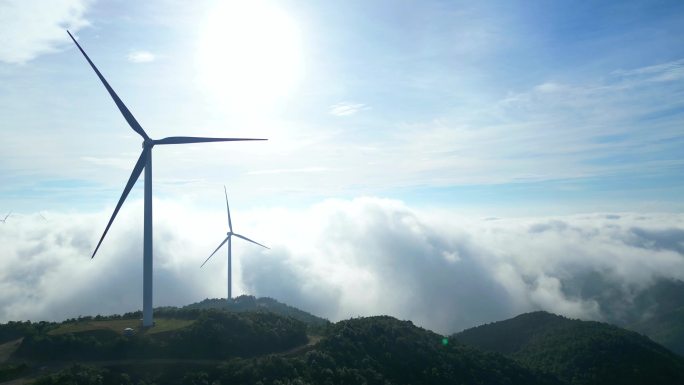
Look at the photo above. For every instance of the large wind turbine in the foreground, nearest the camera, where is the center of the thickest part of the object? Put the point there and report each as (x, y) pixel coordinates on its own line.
(144, 162)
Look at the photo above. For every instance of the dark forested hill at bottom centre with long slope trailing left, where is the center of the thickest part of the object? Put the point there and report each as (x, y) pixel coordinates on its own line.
(374, 351)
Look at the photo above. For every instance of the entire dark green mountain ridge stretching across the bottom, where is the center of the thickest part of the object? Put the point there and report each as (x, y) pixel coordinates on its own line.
(262, 341)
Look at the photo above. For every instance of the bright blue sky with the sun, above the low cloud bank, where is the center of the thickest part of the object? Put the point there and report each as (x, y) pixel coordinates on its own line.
(552, 106)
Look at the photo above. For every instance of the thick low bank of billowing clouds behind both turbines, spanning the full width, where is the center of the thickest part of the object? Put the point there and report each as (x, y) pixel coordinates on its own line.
(340, 259)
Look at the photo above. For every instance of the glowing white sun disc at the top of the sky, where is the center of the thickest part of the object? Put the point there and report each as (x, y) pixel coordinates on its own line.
(249, 54)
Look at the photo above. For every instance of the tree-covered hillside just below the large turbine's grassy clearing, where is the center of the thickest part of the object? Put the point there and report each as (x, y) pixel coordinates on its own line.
(212, 335)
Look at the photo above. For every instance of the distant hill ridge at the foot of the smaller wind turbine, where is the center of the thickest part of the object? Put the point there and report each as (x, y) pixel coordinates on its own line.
(248, 303)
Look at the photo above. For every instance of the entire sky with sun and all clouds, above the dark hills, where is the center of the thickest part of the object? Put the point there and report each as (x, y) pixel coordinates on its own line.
(420, 155)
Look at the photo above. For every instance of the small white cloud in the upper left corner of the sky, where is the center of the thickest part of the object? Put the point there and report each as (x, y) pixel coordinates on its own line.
(31, 28)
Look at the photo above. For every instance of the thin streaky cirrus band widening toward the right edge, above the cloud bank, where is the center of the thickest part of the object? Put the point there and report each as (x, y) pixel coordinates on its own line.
(589, 128)
